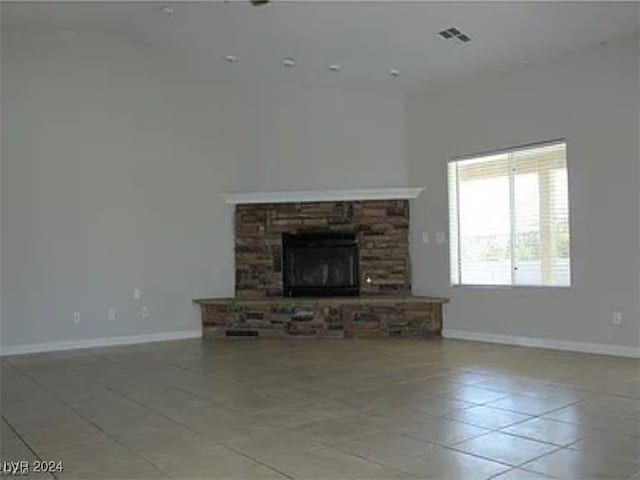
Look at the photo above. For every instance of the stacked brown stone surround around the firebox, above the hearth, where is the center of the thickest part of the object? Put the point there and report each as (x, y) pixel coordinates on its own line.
(381, 228)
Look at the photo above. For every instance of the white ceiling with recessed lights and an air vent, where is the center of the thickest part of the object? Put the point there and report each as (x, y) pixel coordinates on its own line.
(365, 39)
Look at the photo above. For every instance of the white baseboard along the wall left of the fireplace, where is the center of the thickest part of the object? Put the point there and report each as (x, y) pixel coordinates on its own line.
(97, 342)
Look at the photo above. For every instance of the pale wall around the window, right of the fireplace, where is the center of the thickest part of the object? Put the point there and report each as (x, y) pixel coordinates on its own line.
(592, 99)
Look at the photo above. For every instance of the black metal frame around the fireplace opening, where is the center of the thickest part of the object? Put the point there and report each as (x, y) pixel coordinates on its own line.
(292, 241)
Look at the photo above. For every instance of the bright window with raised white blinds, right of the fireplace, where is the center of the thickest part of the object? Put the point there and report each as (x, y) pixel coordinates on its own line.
(509, 218)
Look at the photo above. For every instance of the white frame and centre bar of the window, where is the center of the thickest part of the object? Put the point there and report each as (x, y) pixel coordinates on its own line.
(511, 285)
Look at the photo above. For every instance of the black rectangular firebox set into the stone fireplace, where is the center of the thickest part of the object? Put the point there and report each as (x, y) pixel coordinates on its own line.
(320, 265)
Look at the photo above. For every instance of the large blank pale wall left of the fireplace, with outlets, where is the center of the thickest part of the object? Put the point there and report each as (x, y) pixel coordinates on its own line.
(111, 165)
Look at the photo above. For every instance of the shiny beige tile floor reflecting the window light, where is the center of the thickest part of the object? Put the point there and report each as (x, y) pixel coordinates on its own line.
(323, 409)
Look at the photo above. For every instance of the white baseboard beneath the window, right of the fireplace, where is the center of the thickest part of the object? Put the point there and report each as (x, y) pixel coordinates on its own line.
(586, 347)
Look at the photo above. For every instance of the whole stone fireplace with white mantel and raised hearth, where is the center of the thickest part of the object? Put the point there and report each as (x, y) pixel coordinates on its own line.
(326, 267)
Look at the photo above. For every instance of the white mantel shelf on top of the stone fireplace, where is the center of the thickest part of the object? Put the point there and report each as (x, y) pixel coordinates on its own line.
(290, 196)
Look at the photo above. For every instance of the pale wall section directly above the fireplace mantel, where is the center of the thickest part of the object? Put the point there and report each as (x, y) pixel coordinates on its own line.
(309, 139)
